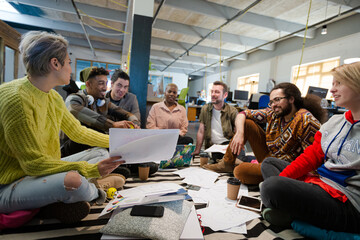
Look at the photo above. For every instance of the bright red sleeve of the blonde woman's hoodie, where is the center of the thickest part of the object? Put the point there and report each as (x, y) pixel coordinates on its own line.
(308, 161)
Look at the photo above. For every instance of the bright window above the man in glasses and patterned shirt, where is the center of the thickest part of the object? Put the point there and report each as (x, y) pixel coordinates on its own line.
(315, 74)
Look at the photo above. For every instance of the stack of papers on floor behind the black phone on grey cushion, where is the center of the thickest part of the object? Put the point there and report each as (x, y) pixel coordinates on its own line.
(145, 194)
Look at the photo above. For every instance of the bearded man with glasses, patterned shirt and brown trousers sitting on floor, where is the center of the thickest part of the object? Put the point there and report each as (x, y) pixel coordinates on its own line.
(291, 123)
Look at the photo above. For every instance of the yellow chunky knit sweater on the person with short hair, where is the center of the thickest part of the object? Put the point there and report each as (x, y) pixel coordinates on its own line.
(30, 121)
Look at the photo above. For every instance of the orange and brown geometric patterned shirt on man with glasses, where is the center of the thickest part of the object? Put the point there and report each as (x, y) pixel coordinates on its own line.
(286, 141)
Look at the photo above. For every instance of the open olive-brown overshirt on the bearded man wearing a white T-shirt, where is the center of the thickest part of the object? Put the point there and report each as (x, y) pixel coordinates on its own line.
(228, 115)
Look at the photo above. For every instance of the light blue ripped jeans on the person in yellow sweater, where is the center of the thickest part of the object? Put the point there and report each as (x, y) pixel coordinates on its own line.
(34, 192)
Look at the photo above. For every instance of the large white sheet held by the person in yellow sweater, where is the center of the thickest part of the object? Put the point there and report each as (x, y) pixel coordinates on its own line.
(143, 145)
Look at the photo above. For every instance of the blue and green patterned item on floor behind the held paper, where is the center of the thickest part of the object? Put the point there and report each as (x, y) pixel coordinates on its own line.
(182, 157)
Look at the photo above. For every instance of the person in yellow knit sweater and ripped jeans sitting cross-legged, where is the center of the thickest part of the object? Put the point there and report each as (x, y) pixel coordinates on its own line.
(32, 173)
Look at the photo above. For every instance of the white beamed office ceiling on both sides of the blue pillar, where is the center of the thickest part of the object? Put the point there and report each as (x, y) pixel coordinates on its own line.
(188, 36)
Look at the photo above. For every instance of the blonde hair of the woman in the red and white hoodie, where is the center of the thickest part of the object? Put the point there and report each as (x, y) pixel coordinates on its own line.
(348, 74)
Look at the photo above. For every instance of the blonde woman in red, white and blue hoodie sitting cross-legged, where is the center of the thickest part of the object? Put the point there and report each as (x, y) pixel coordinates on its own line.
(322, 185)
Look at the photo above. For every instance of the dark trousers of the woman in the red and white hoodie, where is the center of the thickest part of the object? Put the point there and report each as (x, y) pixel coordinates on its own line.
(306, 201)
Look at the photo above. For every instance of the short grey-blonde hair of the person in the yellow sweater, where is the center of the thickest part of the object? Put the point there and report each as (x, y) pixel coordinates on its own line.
(37, 48)
